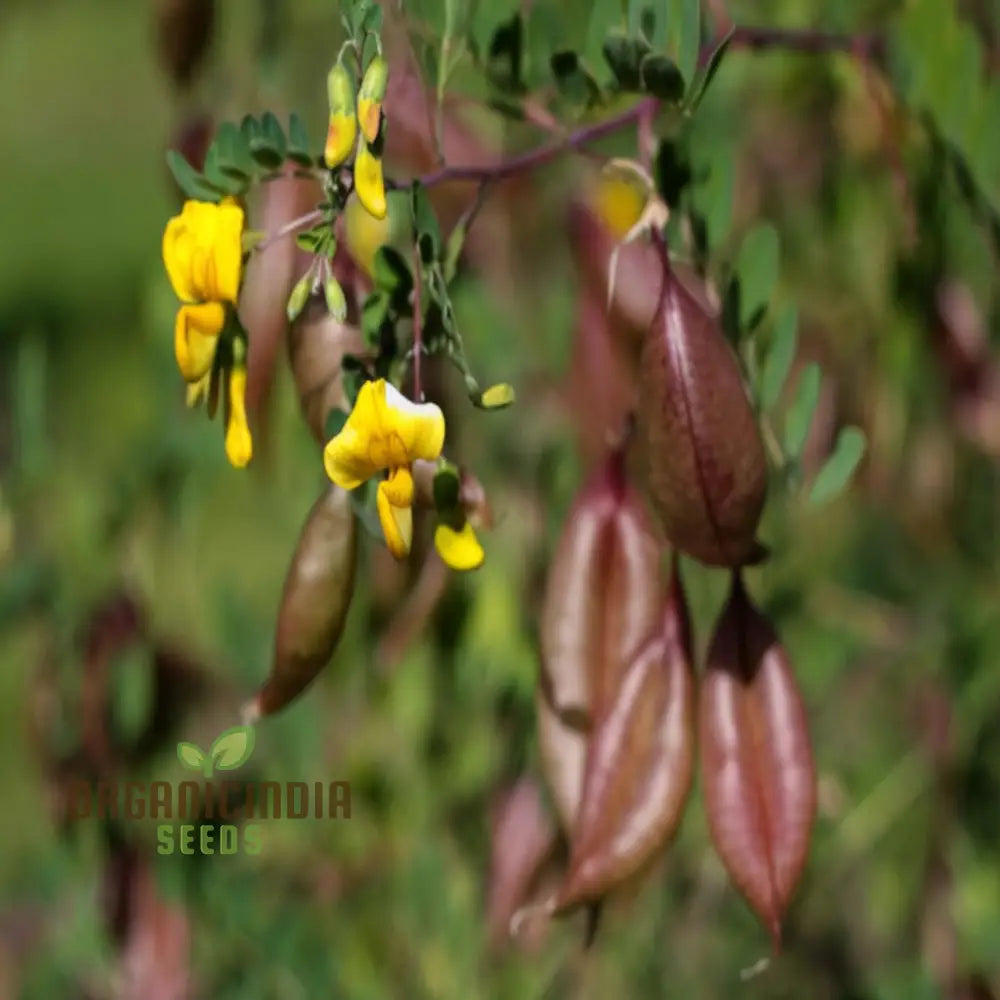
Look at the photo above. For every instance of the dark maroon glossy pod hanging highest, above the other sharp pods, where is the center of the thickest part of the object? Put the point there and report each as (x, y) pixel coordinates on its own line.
(706, 466)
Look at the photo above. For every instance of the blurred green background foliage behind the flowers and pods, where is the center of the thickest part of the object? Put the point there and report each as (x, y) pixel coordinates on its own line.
(888, 600)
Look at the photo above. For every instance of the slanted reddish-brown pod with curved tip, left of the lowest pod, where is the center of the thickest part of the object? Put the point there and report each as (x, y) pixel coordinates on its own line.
(639, 764)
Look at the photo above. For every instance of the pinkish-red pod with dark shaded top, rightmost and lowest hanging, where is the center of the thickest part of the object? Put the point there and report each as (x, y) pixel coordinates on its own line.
(757, 763)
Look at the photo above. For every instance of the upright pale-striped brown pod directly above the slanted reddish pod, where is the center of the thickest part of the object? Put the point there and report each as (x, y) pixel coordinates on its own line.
(603, 595)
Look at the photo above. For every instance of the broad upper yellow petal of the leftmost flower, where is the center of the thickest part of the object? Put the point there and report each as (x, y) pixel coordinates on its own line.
(203, 251)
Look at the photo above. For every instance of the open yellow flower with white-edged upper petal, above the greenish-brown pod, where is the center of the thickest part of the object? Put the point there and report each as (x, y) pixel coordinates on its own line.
(386, 432)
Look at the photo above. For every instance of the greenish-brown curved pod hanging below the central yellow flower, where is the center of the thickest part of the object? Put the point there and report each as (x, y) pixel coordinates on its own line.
(314, 602)
